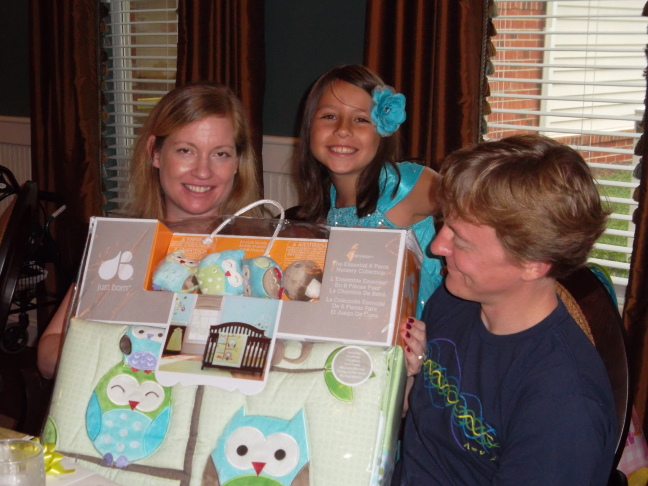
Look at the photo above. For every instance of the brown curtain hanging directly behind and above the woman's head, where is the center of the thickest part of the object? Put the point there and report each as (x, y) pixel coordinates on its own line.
(223, 41)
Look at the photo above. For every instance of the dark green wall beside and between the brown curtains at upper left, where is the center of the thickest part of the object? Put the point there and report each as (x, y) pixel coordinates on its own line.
(304, 38)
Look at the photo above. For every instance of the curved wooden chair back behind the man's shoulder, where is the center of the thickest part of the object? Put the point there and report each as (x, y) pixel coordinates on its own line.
(594, 309)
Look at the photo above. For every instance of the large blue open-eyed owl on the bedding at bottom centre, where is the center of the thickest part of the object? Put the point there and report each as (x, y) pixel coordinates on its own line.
(259, 450)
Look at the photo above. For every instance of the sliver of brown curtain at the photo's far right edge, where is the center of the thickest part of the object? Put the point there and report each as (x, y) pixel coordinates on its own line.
(636, 305)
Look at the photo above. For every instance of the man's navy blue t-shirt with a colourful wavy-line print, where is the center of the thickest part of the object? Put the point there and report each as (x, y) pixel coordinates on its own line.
(532, 408)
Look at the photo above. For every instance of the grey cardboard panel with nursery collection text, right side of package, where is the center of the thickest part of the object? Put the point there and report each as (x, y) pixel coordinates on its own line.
(369, 286)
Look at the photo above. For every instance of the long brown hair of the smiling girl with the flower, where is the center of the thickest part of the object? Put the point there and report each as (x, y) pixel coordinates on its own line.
(314, 179)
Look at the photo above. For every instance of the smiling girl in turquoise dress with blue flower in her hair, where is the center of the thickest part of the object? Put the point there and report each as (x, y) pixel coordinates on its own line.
(347, 163)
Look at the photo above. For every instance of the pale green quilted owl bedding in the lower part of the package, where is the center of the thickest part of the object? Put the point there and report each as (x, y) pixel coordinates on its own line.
(310, 425)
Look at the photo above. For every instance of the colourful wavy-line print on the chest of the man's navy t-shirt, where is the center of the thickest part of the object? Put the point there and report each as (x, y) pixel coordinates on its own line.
(442, 372)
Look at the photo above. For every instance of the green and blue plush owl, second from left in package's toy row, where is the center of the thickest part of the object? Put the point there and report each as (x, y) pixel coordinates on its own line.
(220, 273)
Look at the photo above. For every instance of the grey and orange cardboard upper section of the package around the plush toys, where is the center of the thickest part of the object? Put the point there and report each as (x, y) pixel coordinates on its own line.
(367, 282)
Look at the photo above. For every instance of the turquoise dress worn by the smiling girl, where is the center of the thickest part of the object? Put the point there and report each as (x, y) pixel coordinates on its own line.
(424, 229)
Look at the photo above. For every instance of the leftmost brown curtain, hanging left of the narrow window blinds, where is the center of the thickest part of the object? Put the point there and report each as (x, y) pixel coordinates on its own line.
(65, 116)
